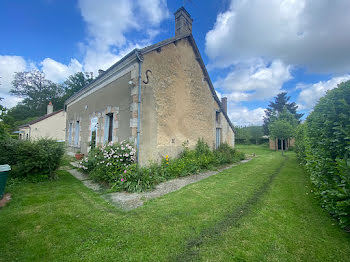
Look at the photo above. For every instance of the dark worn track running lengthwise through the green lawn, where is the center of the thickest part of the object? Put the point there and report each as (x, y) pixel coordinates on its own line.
(193, 245)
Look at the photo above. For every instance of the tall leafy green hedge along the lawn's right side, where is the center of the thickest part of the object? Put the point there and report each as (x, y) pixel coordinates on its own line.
(323, 142)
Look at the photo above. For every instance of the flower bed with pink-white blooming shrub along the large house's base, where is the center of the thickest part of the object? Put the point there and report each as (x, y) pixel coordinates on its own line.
(104, 165)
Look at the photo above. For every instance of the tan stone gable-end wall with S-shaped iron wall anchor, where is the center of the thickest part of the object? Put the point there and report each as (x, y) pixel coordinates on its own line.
(177, 104)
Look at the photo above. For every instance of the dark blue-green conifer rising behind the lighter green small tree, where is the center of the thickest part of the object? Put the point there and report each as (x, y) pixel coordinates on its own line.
(281, 102)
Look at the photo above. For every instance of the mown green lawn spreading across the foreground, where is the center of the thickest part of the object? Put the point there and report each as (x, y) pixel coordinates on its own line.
(259, 211)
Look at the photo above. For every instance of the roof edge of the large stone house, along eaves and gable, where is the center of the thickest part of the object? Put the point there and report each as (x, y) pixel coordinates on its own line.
(135, 54)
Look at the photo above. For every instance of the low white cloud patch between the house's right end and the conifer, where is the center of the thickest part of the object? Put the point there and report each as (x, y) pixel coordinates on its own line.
(242, 116)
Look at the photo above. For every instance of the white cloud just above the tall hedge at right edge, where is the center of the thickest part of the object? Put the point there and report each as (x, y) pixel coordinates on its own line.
(311, 93)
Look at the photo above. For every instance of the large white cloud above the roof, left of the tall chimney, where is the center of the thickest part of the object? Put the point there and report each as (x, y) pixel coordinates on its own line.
(109, 21)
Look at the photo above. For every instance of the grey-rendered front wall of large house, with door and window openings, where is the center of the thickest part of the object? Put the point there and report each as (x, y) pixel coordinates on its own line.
(115, 98)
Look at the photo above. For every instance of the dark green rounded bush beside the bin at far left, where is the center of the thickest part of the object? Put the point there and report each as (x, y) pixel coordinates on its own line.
(31, 159)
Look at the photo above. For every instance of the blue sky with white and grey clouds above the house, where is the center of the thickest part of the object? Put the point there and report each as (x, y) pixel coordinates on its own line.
(253, 49)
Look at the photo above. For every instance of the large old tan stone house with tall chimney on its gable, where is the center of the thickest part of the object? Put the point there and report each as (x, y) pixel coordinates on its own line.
(158, 97)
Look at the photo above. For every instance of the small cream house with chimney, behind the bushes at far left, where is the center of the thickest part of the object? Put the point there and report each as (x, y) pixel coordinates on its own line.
(52, 125)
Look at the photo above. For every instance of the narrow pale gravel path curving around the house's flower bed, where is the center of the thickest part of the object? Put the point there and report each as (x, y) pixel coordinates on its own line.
(129, 201)
